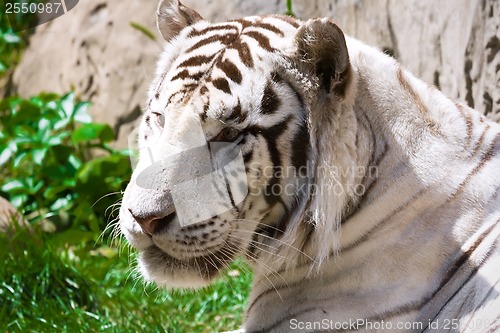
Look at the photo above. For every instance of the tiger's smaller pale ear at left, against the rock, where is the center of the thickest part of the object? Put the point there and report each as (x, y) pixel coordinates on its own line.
(173, 16)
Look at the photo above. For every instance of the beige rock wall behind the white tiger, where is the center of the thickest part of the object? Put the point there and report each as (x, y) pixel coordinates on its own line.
(95, 50)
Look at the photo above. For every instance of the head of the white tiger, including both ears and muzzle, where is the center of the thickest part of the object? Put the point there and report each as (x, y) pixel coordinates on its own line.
(230, 142)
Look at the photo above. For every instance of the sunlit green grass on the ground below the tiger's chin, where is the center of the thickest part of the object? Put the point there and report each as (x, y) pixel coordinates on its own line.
(45, 287)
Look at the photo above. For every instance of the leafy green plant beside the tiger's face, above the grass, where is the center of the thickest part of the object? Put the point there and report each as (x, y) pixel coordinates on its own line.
(48, 169)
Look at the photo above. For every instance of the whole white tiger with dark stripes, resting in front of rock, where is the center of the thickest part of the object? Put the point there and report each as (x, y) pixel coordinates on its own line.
(357, 192)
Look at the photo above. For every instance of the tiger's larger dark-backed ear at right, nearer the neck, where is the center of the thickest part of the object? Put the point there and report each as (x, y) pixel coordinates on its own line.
(322, 50)
